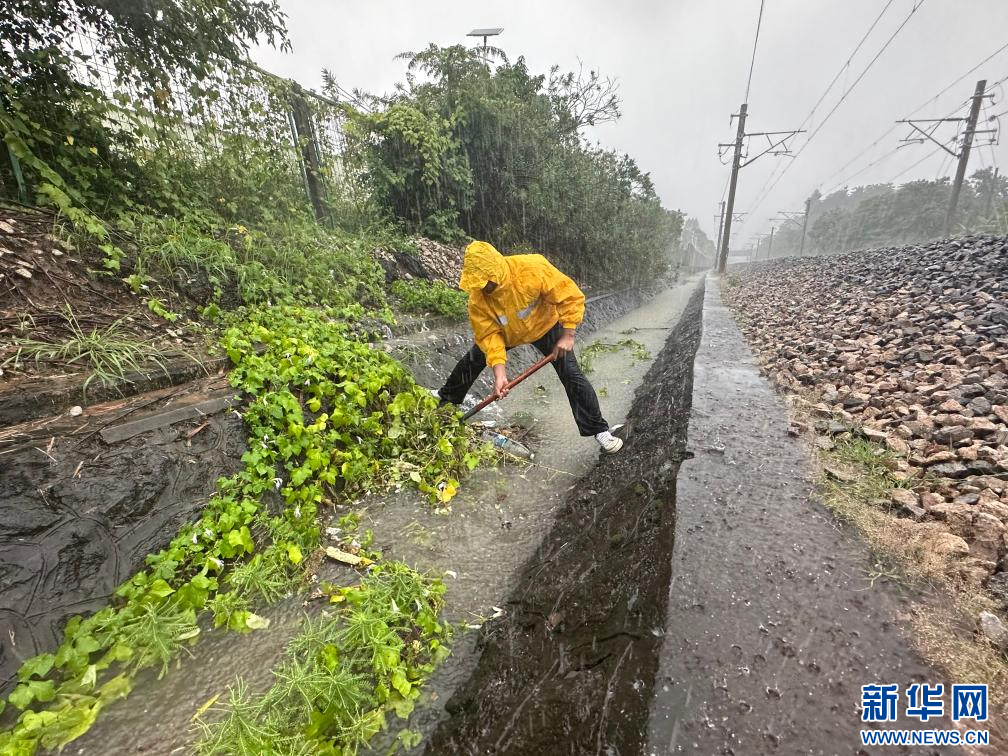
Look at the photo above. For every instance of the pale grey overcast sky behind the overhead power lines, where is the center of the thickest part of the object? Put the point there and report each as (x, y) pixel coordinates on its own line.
(683, 67)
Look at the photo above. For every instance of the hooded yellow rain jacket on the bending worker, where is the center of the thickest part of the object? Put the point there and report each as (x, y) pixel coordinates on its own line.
(532, 297)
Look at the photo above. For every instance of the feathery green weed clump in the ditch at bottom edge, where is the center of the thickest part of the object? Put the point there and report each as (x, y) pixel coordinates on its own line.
(343, 675)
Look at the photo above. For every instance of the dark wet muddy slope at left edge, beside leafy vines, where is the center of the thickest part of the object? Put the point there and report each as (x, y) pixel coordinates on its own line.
(78, 515)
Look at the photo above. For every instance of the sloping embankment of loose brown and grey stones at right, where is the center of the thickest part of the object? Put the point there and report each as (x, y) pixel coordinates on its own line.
(909, 347)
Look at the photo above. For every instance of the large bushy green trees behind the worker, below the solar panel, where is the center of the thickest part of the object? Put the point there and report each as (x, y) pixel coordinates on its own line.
(497, 152)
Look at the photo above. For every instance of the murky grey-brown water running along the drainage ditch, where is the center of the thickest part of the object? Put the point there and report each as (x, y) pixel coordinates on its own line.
(498, 521)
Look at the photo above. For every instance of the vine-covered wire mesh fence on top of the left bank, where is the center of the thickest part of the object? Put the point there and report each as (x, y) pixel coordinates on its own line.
(243, 124)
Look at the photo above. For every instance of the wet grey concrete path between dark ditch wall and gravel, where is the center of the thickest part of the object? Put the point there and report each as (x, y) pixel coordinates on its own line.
(773, 622)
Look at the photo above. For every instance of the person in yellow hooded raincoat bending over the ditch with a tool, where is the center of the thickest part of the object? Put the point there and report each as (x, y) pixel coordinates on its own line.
(525, 300)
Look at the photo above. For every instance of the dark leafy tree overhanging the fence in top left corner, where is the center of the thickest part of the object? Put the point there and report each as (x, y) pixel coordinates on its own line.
(86, 153)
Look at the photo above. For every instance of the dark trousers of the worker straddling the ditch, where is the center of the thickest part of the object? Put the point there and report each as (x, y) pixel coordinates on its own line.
(584, 402)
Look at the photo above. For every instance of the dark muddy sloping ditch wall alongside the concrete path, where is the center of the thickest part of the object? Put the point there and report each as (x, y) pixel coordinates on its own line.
(570, 668)
